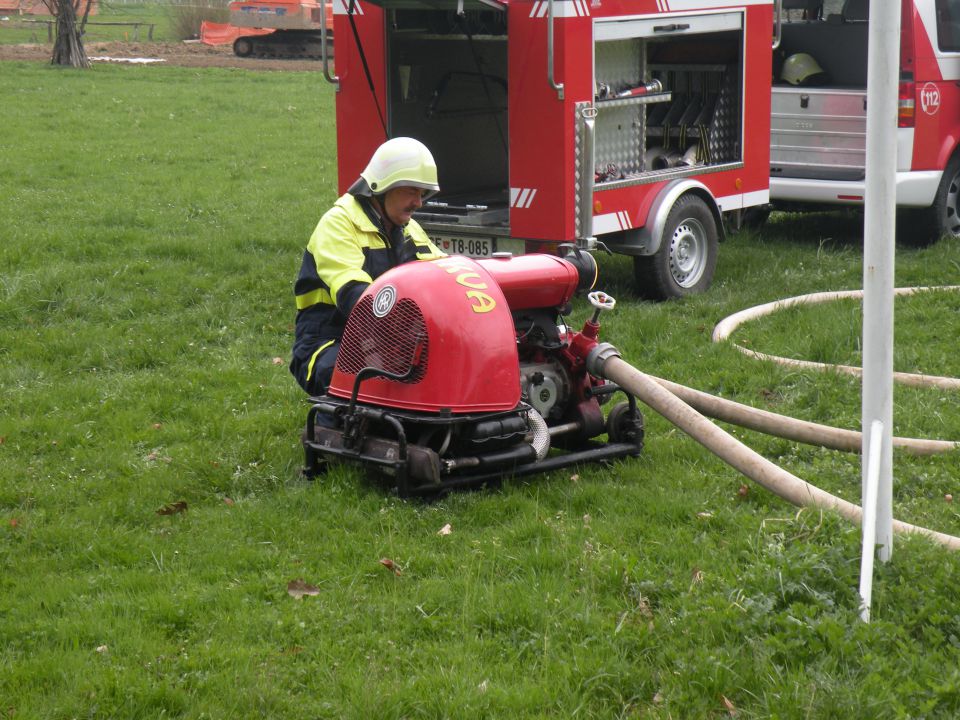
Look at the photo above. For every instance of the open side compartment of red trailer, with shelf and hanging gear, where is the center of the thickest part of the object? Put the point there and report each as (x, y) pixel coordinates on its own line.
(683, 106)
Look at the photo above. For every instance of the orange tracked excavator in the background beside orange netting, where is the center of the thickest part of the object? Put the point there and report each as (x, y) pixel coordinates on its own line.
(296, 25)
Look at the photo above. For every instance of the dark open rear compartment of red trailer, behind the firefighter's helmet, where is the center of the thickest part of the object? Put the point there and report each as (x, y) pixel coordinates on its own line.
(448, 88)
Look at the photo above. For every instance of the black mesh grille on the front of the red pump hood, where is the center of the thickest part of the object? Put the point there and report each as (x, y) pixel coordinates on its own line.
(392, 343)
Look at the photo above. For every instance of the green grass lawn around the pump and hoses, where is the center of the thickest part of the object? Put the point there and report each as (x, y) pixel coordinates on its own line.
(152, 225)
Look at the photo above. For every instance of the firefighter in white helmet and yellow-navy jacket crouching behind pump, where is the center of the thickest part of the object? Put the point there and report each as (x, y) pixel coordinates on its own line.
(367, 231)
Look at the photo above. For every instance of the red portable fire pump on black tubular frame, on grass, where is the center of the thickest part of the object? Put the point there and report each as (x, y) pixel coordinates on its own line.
(456, 372)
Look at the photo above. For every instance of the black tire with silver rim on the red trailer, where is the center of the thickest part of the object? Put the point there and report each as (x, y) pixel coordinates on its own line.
(687, 257)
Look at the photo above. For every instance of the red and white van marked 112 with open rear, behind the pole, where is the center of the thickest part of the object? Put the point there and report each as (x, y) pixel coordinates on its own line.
(819, 122)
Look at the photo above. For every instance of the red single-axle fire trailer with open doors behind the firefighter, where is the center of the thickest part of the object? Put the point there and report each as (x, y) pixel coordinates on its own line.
(627, 125)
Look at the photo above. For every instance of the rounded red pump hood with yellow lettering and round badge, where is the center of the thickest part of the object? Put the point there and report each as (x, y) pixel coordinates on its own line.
(447, 317)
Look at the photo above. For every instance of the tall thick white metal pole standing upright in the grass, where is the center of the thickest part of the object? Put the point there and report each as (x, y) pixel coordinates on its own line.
(883, 66)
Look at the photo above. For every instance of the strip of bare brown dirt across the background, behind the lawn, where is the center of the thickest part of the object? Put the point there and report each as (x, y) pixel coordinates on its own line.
(188, 54)
